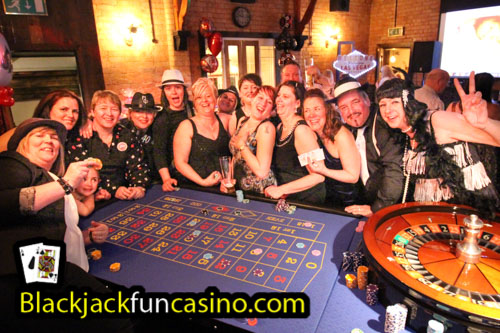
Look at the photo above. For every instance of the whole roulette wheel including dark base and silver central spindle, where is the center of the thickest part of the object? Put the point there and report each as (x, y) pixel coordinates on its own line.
(442, 261)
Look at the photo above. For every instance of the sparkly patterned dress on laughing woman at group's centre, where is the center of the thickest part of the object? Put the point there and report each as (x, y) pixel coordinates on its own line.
(247, 180)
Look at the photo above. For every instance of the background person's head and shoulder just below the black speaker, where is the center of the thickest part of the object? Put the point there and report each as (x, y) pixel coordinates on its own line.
(435, 83)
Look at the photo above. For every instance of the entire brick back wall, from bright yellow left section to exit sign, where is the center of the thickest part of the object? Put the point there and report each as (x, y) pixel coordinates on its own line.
(140, 67)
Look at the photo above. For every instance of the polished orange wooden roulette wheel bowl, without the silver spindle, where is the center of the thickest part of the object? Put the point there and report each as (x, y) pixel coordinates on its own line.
(412, 246)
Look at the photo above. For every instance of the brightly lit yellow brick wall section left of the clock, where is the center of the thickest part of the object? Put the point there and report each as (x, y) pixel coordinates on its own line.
(141, 65)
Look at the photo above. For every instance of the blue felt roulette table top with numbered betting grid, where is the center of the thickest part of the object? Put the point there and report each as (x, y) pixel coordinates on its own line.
(167, 242)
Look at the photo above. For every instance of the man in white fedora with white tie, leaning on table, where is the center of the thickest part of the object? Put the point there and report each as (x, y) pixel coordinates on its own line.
(381, 158)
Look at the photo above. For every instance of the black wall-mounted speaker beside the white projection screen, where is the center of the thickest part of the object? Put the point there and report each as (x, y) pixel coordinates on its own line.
(425, 56)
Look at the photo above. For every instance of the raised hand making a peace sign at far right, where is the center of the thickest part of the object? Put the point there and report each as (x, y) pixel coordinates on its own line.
(475, 109)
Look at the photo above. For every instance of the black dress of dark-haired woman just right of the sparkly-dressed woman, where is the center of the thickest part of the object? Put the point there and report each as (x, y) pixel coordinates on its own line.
(287, 168)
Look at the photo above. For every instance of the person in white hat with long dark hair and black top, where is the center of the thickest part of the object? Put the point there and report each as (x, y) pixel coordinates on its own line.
(176, 108)
